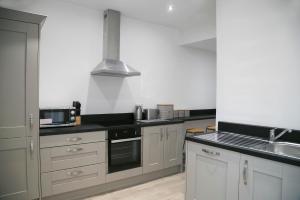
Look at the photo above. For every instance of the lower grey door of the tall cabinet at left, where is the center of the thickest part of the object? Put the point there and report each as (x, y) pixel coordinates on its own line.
(19, 168)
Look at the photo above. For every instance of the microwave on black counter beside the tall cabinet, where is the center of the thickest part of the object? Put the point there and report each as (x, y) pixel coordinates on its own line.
(57, 117)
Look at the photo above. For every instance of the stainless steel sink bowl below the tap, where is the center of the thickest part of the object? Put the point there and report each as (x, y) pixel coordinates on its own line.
(283, 148)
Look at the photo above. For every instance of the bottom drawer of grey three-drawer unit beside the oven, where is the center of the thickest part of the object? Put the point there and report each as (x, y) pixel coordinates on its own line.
(72, 179)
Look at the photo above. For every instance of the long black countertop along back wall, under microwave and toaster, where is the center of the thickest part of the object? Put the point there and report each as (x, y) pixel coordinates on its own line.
(97, 127)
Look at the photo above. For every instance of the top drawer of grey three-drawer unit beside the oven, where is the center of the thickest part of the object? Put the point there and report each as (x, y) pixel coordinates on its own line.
(69, 139)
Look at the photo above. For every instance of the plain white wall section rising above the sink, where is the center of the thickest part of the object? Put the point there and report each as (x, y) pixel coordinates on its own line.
(258, 63)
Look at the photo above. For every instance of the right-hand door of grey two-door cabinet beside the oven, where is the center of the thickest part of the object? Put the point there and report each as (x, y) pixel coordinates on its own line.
(172, 149)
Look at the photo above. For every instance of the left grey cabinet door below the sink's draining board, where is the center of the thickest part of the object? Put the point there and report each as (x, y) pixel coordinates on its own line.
(212, 173)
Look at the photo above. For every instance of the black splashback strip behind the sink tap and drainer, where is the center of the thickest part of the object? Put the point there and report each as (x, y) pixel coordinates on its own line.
(257, 131)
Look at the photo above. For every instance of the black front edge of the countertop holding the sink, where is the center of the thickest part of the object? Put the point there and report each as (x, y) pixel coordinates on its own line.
(251, 152)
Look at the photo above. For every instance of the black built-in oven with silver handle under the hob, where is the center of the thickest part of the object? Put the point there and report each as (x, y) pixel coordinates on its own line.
(124, 148)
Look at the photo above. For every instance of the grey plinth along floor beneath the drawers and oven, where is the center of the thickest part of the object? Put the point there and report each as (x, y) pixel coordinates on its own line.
(109, 187)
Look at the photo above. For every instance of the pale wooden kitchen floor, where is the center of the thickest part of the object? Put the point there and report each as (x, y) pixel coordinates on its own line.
(168, 188)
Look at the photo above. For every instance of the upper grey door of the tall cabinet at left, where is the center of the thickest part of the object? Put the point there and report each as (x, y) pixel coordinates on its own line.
(18, 79)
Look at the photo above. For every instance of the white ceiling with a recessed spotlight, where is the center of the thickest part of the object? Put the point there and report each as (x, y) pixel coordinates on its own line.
(186, 13)
